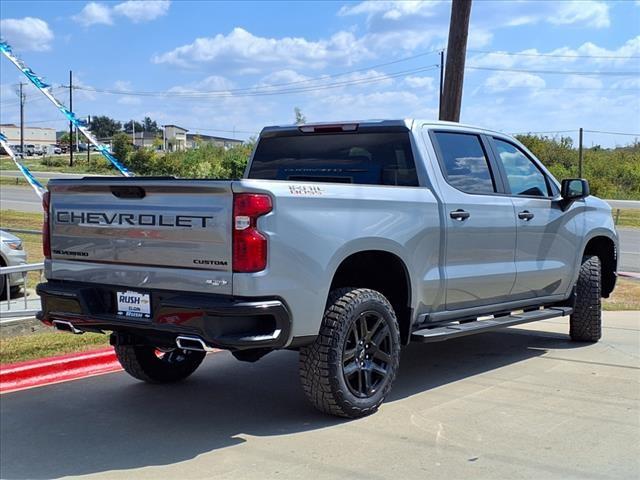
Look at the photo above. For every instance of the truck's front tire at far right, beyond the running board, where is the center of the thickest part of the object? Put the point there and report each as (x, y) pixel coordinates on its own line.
(585, 323)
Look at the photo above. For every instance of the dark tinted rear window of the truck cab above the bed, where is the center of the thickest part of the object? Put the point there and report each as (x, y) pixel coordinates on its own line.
(361, 158)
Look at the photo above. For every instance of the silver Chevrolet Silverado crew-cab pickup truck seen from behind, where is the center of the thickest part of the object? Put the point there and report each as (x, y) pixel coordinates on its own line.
(343, 241)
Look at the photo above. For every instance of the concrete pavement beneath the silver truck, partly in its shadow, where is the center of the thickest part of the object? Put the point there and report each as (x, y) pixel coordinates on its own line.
(521, 403)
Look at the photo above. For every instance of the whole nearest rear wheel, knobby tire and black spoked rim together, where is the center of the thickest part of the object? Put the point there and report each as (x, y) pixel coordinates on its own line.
(350, 367)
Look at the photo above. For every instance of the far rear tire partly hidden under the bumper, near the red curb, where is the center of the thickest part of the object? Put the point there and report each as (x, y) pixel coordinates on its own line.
(144, 363)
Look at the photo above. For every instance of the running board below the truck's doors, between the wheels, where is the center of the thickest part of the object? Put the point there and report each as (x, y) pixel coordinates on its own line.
(439, 334)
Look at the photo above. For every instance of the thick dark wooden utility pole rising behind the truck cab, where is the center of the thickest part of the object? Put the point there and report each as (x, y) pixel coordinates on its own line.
(456, 53)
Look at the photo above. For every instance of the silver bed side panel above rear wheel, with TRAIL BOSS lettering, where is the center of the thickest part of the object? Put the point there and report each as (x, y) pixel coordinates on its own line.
(313, 227)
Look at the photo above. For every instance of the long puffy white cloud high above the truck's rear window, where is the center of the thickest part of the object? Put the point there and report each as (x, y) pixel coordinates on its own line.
(241, 48)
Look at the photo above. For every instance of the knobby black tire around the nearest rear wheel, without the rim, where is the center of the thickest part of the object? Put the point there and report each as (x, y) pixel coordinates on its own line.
(321, 363)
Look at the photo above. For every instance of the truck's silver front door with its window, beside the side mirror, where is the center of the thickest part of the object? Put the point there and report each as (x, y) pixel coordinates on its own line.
(547, 235)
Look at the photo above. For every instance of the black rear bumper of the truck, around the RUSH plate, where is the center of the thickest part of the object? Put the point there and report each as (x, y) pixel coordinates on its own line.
(226, 322)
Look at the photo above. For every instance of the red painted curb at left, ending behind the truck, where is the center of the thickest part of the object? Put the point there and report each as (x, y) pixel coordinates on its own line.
(36, 373)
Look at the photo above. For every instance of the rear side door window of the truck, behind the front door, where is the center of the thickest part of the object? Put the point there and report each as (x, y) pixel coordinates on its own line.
(464, 162)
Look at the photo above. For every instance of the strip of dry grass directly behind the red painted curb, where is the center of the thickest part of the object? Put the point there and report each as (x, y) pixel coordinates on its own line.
(40, 345)
